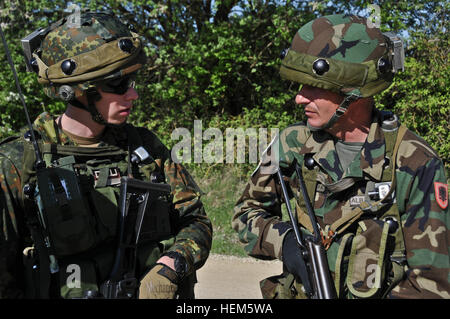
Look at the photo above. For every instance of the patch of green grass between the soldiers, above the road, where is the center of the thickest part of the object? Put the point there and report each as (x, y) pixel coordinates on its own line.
(223, 187)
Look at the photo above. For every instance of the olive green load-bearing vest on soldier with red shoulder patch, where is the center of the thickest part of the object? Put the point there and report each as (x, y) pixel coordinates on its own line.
(365, 247)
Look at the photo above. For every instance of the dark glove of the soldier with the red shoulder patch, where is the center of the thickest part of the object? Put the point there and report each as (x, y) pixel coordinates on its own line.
(292, 256)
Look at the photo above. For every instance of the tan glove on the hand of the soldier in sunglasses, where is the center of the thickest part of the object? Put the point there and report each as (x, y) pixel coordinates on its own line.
(159, 283)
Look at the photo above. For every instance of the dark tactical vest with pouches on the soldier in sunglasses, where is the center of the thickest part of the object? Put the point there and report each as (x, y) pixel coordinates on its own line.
(75, 252)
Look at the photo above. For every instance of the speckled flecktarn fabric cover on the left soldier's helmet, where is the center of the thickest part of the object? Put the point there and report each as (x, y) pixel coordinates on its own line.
(98, 48)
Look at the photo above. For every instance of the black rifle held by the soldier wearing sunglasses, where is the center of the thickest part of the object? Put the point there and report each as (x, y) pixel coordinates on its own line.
(137, 198)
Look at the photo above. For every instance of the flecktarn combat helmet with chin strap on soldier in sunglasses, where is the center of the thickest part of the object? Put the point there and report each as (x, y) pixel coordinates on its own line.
(82, 51)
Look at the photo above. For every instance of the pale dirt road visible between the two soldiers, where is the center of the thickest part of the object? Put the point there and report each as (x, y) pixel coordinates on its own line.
(230, 277)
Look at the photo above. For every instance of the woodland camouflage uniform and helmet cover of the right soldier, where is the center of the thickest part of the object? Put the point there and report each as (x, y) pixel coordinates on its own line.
(366, 258)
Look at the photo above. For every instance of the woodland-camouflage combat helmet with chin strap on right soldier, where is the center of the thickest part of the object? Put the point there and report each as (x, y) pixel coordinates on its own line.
(345, 54)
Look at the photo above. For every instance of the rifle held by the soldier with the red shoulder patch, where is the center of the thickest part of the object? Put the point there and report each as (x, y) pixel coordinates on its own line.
(314, 272)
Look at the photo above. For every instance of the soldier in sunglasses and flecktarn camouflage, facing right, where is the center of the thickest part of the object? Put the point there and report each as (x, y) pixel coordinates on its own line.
(66, 244)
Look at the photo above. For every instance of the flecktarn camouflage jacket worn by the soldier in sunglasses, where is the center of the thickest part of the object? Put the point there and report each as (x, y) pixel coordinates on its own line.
(192, 233)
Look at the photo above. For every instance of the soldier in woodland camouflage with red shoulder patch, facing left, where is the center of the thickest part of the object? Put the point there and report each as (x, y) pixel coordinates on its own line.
(379, 193)
